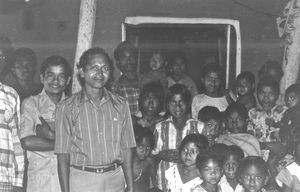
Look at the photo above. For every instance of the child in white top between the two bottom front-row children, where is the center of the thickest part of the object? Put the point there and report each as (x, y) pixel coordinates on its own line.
(229, 181)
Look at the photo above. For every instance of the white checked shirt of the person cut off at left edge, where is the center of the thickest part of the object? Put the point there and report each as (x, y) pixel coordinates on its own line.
(12, 154)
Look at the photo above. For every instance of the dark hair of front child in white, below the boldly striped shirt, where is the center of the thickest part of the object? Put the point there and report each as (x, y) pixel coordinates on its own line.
(199, 139)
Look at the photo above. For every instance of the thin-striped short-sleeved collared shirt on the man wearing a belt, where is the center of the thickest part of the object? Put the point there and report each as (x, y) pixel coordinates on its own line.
(93, 135)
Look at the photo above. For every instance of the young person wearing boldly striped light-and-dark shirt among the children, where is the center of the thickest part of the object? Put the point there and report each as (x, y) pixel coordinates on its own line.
(170, 132)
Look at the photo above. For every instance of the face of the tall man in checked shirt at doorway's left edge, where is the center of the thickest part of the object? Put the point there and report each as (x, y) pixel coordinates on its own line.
(127, 61)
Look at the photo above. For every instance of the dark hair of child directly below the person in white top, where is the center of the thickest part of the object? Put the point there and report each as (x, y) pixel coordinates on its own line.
(208, 113)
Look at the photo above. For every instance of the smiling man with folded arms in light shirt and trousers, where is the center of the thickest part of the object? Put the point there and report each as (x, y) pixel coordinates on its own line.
(37, 125)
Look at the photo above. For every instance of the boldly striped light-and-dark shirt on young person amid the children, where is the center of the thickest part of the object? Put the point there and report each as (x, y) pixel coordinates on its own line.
(168, 137)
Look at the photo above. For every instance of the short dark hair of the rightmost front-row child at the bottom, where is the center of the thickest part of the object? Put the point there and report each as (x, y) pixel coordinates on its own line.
(253, 160)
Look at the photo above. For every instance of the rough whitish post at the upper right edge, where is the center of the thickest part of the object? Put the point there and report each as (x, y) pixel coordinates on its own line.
(291, 34)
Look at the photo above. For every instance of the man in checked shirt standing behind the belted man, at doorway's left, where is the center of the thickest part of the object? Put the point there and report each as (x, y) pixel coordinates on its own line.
(128, 84)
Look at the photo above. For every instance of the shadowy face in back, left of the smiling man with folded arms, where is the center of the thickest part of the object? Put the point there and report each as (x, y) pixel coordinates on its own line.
(24, 69)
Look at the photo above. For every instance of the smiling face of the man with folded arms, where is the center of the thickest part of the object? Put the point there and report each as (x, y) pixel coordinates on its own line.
(55, 79)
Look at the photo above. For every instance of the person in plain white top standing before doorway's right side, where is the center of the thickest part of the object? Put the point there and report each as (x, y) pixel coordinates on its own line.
(213, 92)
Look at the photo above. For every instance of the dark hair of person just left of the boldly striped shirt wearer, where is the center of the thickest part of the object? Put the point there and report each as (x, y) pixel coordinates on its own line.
(157, 90)
